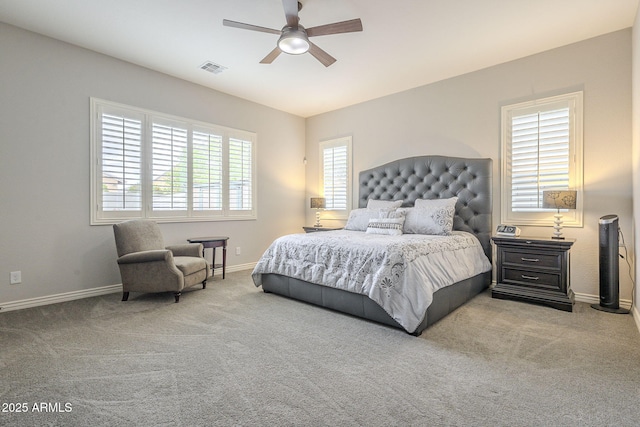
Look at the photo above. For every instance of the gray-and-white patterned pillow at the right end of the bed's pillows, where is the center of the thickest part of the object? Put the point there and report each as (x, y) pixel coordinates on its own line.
(430, 217)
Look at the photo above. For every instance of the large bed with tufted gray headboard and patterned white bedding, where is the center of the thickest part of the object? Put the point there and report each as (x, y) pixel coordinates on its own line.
(409, 182)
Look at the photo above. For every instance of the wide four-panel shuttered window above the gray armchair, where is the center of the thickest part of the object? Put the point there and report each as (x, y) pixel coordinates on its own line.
(151, 165)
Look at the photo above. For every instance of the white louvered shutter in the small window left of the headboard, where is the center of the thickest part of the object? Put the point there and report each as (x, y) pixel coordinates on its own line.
(335, 176)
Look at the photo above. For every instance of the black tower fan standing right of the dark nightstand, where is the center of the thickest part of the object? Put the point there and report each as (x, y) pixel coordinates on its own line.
(609, 266)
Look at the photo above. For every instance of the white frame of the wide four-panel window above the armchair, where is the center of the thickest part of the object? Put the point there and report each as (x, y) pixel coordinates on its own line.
(148, 118)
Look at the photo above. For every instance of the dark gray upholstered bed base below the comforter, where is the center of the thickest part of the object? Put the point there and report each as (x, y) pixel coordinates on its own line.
(445, 300)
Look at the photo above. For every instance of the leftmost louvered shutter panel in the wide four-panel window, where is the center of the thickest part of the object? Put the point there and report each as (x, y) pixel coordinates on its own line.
(121, 162)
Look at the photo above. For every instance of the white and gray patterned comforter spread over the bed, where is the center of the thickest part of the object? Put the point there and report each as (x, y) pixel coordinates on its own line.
(400, 273)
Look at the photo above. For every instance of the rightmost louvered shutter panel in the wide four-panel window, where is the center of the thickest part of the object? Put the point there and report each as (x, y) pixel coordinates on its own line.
(240, 175)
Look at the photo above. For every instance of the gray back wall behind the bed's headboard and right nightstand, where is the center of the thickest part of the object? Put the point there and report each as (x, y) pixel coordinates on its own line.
(461, 117)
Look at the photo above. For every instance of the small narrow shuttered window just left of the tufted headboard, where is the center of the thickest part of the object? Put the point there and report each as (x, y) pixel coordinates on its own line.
(335, 175)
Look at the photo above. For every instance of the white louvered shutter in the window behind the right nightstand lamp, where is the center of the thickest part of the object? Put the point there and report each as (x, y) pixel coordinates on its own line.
(540, 143)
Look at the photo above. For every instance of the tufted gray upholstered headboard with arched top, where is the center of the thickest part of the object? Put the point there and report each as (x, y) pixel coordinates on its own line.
(437, 177)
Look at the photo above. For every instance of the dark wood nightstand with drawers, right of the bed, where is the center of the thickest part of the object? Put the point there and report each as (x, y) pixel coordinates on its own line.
(534, 269)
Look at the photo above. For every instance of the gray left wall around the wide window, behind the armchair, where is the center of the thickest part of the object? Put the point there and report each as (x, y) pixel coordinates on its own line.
(45, 87)
